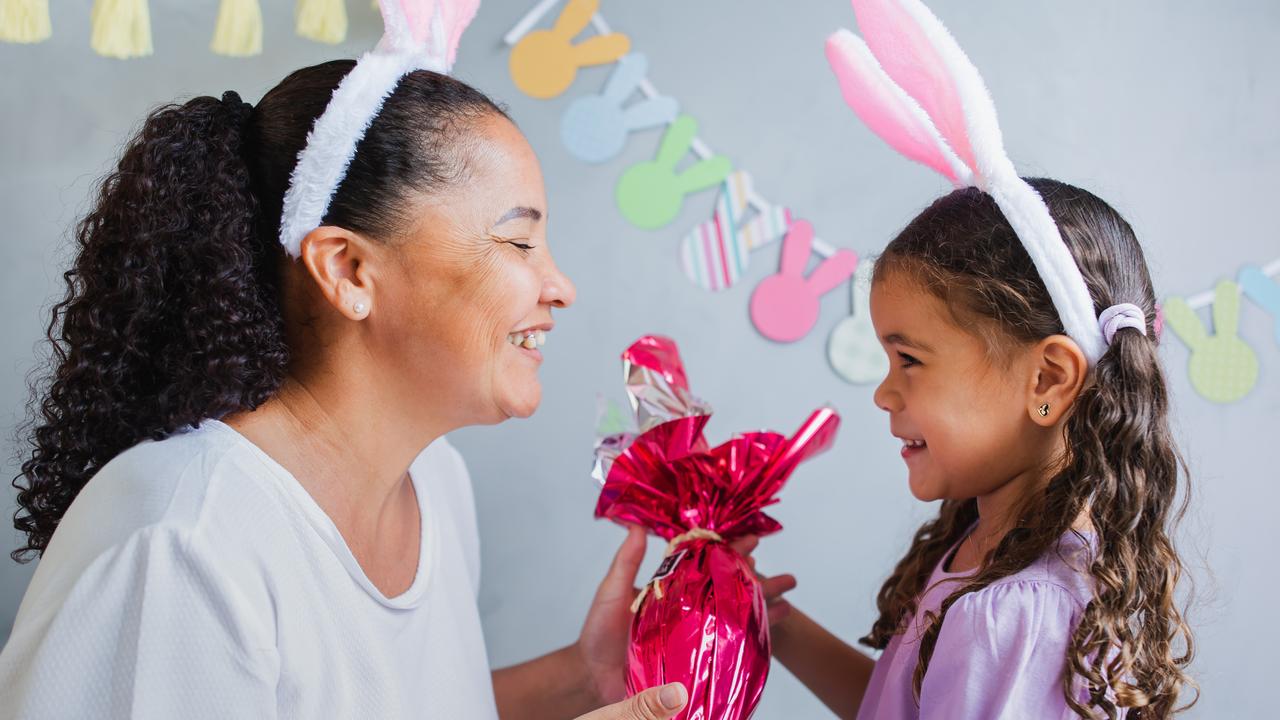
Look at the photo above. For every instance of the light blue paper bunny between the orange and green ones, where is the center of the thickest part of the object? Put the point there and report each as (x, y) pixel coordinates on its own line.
(595, 129)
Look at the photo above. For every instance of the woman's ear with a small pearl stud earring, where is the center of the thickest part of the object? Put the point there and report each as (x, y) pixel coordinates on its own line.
(337, 262)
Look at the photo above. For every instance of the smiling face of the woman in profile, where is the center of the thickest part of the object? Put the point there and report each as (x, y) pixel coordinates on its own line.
(470, 290)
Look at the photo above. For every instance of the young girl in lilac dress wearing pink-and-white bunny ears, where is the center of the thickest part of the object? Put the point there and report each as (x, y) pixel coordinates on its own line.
(1027, 390)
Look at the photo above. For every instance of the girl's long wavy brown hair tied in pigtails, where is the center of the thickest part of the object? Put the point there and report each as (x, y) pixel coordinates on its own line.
(1122, 470)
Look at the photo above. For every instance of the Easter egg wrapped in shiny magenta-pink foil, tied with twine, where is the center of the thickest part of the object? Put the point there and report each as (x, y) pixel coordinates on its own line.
(707, 625)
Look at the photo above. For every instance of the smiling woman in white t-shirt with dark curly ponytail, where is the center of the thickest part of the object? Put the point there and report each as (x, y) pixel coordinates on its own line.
(231, 444)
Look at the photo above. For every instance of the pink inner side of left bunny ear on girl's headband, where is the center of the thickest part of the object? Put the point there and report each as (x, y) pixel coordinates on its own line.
(889, 111)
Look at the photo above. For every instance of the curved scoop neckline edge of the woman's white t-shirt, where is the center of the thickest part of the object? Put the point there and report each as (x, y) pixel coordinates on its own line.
(330, 534)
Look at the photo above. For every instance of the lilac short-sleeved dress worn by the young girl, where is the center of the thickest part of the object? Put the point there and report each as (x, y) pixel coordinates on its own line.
(1002, 651)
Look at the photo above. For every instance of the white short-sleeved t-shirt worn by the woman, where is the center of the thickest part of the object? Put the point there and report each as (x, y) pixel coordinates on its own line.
(196, 578)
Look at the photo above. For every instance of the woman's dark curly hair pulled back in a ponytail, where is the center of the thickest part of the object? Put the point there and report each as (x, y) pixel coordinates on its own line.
(172, 313)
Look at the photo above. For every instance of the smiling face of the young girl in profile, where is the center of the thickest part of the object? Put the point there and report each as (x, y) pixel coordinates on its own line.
(962, 416)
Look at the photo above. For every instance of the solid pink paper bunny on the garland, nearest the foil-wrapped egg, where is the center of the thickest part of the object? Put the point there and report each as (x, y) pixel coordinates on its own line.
(785, 307)
